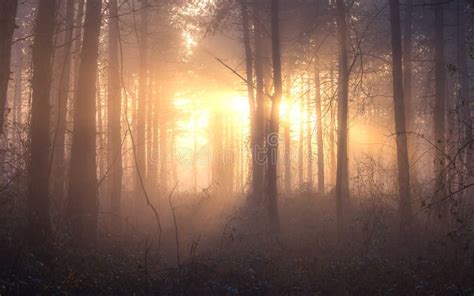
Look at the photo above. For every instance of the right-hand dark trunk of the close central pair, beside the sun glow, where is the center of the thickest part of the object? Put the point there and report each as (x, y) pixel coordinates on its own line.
(272, 141)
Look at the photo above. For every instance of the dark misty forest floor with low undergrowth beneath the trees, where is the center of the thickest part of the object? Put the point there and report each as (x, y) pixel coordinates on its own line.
(240, 259)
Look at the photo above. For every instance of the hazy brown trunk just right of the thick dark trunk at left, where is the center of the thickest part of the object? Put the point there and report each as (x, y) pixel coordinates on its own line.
(114, 157)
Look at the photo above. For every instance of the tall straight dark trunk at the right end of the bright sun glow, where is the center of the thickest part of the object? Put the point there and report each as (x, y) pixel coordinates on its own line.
(342, 170)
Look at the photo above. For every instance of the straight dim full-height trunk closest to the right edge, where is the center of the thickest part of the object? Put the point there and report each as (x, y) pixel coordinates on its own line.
(440, 112)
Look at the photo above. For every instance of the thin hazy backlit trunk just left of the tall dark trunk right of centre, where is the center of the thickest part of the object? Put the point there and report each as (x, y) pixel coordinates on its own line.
(319, 124)
